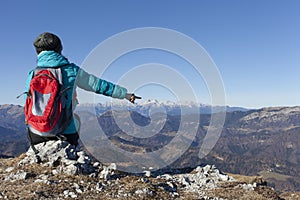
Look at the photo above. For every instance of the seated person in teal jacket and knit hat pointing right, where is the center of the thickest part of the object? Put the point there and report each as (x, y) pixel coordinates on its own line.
(49, 48)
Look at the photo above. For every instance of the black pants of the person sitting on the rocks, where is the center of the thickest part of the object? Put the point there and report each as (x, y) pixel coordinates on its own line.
(36, 139)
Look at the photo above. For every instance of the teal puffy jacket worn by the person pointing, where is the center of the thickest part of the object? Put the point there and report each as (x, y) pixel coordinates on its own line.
(75, 76)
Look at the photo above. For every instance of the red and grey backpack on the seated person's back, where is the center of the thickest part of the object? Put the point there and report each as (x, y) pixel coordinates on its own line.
(46, 113)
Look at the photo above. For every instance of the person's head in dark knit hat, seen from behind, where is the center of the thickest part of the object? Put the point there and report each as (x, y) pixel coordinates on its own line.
(47, 42)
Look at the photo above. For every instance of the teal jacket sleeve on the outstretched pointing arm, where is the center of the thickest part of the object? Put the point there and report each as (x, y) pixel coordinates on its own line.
(90, 82)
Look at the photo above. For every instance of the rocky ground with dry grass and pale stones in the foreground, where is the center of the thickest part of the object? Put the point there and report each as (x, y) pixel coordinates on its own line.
(62, 172)
